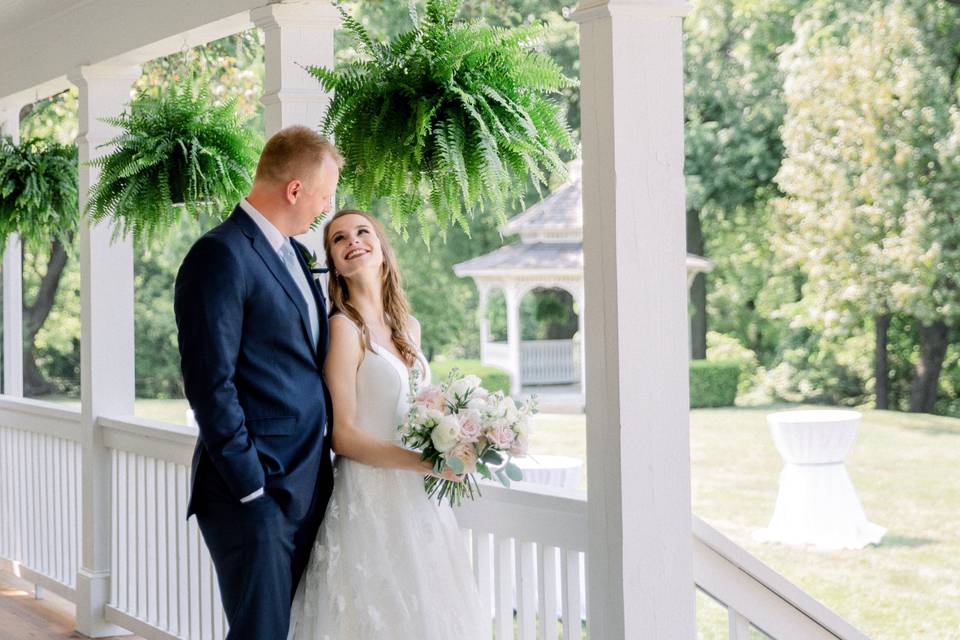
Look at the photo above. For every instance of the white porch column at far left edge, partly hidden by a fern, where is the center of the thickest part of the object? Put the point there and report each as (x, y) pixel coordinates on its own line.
(12, 280)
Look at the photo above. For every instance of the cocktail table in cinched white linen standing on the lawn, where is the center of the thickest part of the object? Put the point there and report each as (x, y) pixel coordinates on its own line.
(817, 504)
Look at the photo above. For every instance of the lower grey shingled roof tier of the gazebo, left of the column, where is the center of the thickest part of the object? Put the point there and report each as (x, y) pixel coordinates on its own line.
(537, 256)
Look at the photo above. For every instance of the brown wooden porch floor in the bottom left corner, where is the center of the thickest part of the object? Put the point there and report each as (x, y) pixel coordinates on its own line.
(23, 617)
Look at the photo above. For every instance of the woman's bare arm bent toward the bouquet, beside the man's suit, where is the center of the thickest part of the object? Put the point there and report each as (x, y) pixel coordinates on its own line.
(349, 441)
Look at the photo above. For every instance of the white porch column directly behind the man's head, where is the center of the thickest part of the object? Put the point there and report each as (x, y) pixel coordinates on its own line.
(296, 36)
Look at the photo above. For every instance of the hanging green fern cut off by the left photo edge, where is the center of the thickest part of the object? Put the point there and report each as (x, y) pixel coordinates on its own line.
(38, 191)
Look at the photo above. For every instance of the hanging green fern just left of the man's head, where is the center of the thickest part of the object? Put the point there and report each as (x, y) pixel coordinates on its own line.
(176, 148)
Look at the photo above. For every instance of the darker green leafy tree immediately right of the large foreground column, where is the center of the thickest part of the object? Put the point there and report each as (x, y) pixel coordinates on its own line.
(734, 109)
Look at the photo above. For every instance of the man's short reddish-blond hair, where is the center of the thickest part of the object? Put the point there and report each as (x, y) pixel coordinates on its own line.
(293, 150)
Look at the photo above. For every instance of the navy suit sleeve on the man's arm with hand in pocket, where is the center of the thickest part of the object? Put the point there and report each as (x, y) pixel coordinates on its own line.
(208, 304)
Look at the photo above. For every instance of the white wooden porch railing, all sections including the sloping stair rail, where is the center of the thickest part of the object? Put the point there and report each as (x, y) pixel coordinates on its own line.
(527, 544)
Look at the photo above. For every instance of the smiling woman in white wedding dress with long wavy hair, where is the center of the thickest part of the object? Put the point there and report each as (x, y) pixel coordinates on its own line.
(388, 563)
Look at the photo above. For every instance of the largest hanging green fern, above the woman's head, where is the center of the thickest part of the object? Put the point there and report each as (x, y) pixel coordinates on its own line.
(452, 114)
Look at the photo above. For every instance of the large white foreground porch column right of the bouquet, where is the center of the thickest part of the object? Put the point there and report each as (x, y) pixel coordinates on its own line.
(639, 576)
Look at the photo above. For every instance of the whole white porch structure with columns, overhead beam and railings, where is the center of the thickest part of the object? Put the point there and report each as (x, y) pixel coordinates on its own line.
(92, 499)
